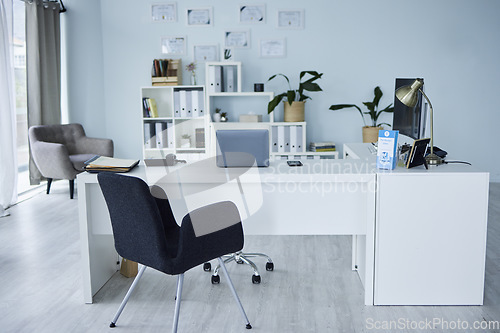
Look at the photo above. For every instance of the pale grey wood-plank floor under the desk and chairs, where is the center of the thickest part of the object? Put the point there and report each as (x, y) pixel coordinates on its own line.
(311, 290)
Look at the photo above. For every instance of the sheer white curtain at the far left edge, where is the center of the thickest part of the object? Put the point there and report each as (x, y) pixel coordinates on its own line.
(8, 151)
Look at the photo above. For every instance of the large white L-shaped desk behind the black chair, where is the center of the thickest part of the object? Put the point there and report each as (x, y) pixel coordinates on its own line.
(333, 197)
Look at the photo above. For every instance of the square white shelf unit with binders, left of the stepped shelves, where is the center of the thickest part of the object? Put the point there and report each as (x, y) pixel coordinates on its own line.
(181, 112)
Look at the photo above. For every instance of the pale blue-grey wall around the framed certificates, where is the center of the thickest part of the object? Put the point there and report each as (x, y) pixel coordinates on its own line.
(453, 44)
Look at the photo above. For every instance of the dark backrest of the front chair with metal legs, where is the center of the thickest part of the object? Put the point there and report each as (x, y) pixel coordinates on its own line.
(138, 229)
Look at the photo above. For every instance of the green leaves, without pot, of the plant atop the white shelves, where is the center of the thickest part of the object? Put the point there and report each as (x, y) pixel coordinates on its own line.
(292, 95)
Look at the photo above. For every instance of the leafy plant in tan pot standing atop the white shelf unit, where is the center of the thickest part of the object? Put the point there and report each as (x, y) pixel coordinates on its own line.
(295, 99)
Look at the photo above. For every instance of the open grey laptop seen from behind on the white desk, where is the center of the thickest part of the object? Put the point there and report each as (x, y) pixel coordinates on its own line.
(242, 148)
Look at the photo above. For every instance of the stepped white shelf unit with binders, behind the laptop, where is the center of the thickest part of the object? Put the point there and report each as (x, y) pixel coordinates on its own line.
(236, 102)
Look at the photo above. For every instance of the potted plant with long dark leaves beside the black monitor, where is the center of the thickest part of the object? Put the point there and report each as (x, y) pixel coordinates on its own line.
(370, 132)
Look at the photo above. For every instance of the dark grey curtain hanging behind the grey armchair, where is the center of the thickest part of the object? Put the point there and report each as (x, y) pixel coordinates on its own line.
(43, 67)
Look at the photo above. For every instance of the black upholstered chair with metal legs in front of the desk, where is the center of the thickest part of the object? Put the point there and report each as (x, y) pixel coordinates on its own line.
(145, 231)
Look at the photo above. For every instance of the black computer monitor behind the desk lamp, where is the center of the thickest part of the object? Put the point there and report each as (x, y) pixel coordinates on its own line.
(410, 122)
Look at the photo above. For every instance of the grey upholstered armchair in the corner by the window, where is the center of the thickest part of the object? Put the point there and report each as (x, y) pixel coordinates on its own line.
(59, 151)
